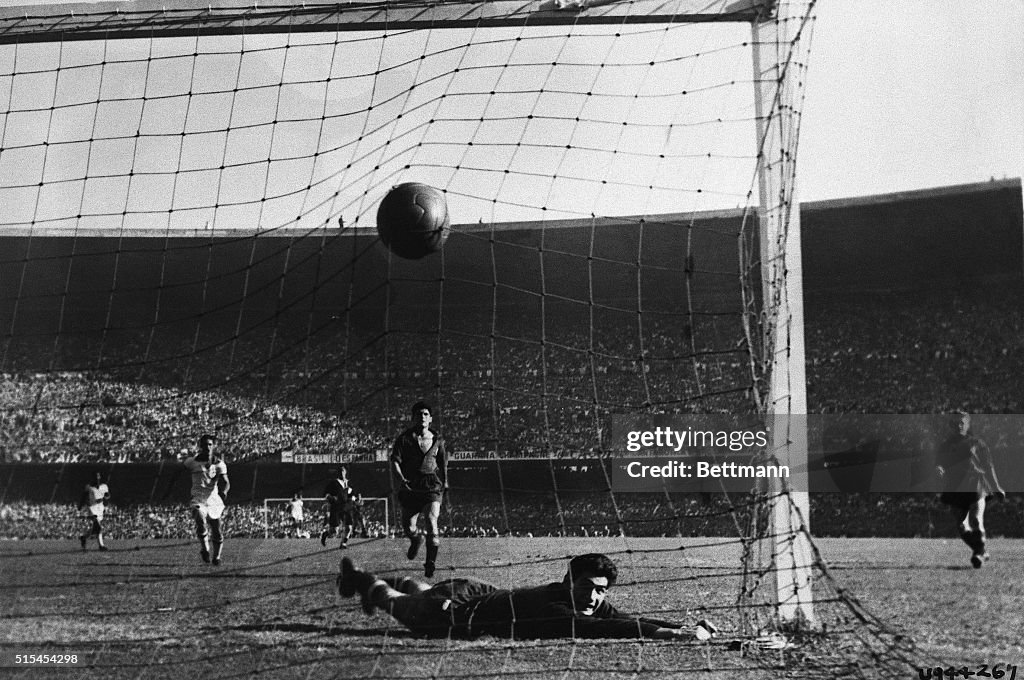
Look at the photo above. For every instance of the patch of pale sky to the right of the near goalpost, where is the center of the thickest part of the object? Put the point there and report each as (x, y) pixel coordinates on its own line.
(906, 96)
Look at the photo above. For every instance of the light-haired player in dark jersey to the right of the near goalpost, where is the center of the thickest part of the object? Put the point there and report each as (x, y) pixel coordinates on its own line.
(964, 464)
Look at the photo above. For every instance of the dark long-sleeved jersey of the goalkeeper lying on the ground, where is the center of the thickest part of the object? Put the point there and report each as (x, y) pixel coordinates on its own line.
(545, 612)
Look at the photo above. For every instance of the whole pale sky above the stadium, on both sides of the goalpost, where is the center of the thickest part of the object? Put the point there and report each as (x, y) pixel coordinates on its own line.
(900, 97)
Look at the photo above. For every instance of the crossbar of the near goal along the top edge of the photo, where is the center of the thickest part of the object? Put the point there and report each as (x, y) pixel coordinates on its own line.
(146, 19)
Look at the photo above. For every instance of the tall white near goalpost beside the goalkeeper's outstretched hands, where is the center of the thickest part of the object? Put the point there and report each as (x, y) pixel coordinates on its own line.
(778, 99)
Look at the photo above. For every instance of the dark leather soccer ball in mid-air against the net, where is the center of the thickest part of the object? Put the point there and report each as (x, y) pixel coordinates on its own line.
(413, 221)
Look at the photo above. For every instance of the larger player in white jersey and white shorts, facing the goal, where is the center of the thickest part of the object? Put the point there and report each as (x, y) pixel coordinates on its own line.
(208, 497)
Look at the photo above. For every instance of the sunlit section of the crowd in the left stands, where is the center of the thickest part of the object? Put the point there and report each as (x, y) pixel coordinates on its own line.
(79, 418)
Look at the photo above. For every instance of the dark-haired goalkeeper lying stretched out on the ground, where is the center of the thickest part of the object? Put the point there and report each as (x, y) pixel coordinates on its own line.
(470, 609)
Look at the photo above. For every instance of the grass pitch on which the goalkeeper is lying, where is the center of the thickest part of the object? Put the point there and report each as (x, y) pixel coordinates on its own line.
(152, 610)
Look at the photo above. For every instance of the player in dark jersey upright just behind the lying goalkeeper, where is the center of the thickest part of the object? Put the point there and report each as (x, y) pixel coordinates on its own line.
(420, 464)
